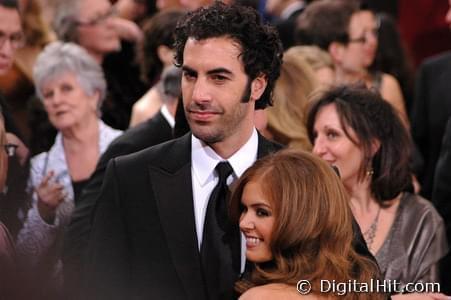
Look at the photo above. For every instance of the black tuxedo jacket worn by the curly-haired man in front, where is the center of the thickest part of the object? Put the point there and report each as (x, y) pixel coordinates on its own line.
(143, 243)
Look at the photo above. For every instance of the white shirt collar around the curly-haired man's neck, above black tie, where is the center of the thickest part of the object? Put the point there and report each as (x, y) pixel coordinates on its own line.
(204, 159)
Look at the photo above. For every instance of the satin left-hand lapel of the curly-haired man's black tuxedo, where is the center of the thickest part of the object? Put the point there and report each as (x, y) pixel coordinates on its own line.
(171, 183)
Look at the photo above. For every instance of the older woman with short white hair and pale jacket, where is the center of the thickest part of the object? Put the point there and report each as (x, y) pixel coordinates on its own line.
(71, 85)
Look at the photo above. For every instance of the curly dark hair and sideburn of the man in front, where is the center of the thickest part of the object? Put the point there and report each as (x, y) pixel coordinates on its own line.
(261, 47)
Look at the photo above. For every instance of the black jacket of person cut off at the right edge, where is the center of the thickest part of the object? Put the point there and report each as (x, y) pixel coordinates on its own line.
(430, 111)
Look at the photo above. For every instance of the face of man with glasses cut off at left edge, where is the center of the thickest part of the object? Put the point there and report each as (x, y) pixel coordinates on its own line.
(10, 29)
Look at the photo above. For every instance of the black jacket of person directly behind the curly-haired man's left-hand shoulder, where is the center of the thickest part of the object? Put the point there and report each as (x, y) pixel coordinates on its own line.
(152, 132)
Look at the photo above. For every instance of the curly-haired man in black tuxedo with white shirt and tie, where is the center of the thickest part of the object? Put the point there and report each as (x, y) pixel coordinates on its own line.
(149, 220)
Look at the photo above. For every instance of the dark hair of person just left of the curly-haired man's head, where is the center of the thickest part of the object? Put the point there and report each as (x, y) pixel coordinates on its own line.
(158, 32)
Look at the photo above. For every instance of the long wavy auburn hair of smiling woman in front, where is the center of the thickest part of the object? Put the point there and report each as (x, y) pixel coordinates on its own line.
(313, 234)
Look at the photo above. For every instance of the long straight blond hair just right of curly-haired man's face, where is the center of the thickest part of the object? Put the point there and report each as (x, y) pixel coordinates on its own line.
(286, 118)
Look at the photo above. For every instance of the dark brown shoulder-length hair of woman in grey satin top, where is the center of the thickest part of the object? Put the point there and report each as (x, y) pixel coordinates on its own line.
(359, 109)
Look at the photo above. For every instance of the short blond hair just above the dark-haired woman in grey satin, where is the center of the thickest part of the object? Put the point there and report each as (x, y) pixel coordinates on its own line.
(319, 60)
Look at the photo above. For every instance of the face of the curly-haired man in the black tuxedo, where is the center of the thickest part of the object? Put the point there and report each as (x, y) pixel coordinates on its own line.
(214, 85)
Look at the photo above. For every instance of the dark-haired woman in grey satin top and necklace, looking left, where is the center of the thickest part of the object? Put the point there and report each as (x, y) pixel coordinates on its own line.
(353, 129)
